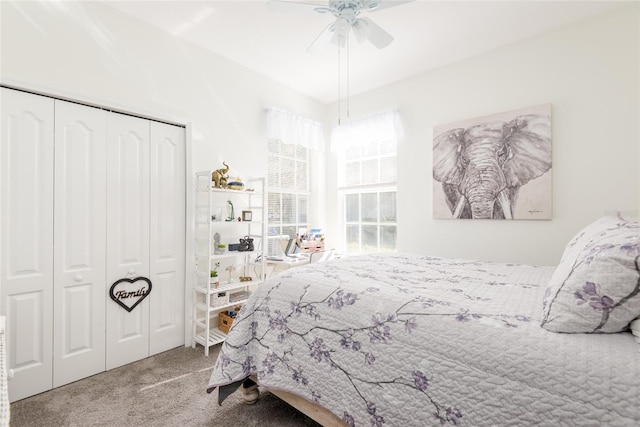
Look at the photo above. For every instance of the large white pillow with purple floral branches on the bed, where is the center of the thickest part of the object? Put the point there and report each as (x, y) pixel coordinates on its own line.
(596, 286)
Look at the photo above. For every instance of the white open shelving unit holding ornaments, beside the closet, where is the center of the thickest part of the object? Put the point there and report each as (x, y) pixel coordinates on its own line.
(212, 216)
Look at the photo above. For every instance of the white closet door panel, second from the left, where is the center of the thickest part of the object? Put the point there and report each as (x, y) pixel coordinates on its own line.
(79, 239)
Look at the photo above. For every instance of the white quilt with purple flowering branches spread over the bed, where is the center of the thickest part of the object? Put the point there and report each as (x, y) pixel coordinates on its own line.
(408, 340)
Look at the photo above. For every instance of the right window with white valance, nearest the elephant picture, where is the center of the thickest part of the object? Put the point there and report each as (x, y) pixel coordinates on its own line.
(367, 165)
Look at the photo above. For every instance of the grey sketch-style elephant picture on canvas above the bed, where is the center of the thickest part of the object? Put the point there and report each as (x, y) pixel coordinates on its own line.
(483, 166)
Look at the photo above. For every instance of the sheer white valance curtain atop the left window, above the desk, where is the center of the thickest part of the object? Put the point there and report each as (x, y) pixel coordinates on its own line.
(294, 129)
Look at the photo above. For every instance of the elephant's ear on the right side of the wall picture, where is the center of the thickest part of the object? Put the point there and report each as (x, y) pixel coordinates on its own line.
(529, 139)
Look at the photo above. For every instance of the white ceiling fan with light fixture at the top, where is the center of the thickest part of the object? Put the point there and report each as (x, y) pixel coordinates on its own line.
(347, 14)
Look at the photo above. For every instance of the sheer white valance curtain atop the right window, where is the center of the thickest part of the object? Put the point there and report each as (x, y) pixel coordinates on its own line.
(381, 127)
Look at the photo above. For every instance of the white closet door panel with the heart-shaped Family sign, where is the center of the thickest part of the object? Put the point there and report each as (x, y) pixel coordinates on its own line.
(127, 234)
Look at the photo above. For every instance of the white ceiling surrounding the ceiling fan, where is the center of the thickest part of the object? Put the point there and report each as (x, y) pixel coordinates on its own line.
(428, 34)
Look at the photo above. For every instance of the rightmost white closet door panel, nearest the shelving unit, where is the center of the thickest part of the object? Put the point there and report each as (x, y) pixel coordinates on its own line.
(167, 219)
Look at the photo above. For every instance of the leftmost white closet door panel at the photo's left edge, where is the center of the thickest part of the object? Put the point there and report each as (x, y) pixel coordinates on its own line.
(26, 248)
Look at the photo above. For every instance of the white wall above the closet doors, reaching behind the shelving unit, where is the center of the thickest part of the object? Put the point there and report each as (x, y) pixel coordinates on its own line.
(88, 51)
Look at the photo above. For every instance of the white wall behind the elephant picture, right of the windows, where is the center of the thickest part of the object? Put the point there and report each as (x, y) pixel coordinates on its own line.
(589, 73)
